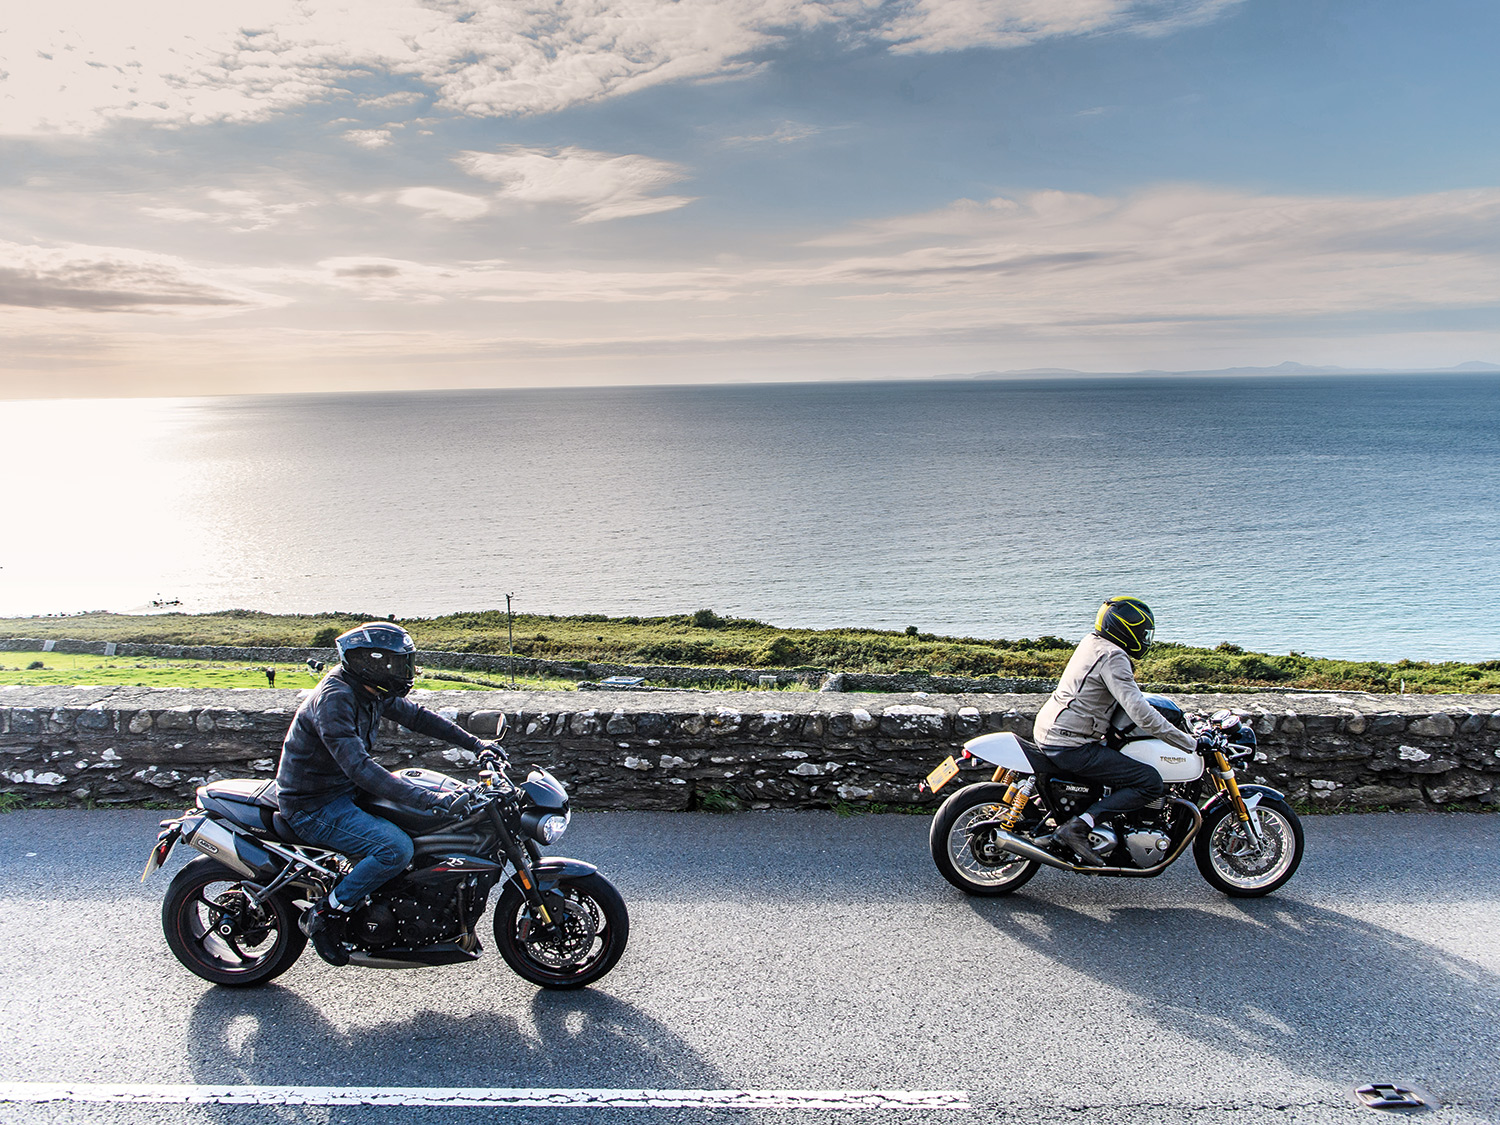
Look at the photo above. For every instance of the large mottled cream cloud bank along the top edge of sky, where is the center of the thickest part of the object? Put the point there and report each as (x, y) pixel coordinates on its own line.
(77, 65)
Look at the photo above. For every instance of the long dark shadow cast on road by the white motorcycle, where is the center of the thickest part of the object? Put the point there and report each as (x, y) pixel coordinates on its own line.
(1324, 994)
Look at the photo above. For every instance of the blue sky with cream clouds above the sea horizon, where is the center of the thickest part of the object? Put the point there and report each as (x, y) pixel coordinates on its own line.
(289, 196)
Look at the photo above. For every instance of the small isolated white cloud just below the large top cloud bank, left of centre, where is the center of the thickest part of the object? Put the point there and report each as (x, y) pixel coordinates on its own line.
(601, 187)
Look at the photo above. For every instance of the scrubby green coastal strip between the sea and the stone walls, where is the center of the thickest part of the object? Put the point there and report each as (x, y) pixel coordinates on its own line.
(704, 638)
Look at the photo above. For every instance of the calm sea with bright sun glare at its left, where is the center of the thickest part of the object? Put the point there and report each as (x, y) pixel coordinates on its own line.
(1337, 517)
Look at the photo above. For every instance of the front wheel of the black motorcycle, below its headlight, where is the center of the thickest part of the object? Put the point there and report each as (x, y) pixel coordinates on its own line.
(596, 923)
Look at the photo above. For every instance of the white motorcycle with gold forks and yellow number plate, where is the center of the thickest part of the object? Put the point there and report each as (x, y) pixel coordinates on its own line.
(994, 836)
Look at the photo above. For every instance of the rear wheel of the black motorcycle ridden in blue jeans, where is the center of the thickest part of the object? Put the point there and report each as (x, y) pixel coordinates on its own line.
(206, 898)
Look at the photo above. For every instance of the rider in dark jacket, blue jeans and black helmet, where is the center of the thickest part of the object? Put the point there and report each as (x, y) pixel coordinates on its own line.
(329, 754)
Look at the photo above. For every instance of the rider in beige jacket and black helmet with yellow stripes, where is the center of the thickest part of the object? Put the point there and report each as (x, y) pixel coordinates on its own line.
(1070, 727)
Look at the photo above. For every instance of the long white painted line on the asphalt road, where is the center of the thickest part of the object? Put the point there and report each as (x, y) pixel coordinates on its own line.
(461, 1096)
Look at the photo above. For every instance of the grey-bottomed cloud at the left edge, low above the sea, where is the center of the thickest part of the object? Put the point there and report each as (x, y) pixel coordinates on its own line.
(113, 280)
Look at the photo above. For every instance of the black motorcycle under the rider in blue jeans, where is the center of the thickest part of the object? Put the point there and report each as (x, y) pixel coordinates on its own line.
(232, 916)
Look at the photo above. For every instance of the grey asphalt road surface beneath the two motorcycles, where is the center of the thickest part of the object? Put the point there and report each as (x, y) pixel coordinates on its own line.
(808, 952)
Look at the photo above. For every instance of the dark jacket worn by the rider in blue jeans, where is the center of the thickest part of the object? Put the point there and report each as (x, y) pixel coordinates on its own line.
(331, 745)
